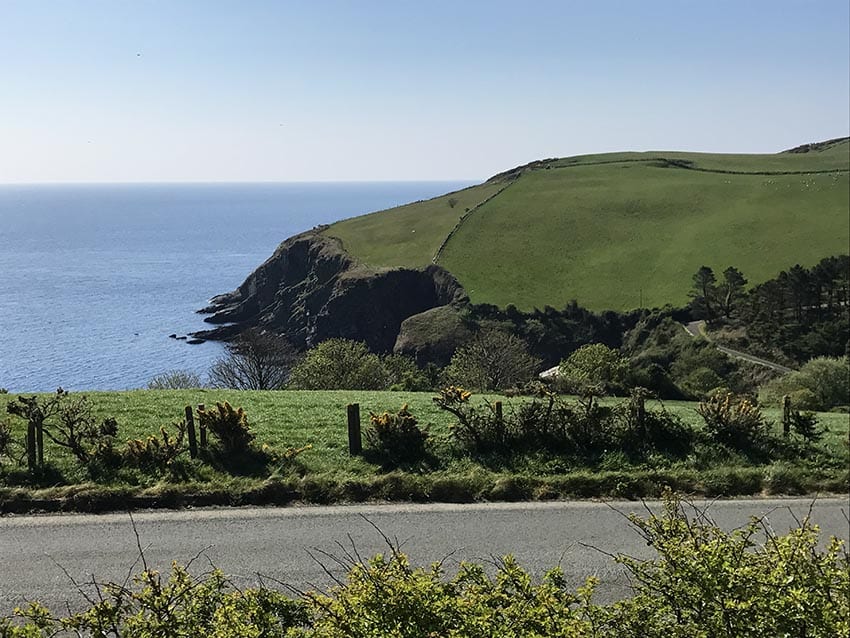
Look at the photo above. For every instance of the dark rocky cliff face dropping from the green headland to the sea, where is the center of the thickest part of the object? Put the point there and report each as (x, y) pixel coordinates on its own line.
(310, 290)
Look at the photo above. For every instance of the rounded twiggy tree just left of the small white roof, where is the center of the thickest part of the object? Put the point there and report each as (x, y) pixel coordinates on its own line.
(492, 360)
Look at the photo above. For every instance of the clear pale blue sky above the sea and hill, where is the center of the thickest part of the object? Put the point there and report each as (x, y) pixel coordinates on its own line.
(176, 90)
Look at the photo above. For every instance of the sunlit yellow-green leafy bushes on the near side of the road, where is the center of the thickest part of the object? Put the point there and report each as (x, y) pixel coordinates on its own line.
(702, 582)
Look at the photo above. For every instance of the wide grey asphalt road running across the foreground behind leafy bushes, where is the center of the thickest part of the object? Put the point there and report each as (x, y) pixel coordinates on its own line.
(40, 554)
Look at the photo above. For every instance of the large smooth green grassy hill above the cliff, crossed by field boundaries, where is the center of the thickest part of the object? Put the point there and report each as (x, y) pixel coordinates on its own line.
(614, 229)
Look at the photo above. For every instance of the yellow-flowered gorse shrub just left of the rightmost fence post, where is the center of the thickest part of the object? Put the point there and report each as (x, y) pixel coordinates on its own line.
(734, 421)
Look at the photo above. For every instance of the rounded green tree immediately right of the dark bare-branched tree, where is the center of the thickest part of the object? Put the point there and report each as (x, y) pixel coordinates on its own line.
(340, 364)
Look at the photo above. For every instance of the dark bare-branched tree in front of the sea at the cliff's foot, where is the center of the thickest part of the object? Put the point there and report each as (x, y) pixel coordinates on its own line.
(256, 360)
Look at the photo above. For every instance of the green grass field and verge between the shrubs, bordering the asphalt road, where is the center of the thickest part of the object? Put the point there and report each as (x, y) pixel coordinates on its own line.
(327, 473)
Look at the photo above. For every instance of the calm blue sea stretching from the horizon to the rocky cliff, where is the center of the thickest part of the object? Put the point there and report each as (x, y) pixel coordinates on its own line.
(93, 278)
